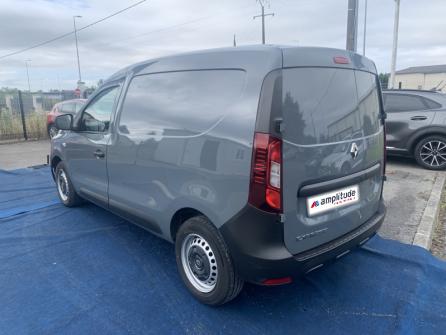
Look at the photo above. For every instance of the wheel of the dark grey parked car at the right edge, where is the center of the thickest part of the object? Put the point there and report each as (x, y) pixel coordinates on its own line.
(430, 152)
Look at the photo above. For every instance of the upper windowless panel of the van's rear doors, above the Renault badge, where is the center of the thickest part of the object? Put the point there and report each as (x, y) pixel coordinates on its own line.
(323, 105)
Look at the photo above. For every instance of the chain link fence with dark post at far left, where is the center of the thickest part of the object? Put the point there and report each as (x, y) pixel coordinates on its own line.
(23, 115)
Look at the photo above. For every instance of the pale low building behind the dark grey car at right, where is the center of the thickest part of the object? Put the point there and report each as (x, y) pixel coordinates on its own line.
(422, 78)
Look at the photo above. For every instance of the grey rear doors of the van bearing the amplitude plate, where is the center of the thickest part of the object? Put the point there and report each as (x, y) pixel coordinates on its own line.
(332, 153)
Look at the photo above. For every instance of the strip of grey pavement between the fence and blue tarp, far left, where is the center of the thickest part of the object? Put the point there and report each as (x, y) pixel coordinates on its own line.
(23, 154)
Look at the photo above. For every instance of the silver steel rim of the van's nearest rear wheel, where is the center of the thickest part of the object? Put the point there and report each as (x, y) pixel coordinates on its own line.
(199, 263)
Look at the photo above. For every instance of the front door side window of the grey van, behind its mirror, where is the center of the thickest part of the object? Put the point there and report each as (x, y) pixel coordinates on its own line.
(96, 117)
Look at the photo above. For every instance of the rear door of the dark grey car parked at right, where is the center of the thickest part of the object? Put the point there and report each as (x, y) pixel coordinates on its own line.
(406, 113)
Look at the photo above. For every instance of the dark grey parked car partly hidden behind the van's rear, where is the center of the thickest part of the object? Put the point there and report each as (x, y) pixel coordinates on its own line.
(416, 126)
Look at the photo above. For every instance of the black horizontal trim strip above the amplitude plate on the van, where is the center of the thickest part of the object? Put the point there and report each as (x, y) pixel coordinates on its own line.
(329, 185)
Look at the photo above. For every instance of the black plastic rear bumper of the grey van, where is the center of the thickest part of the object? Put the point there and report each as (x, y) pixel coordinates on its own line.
(255, 240)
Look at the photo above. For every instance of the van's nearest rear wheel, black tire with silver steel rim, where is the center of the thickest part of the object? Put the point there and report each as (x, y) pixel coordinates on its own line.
(197, 243)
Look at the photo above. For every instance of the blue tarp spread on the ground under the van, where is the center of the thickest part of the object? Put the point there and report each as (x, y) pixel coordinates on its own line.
(86, 271)
